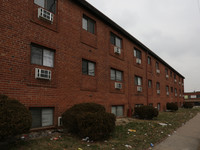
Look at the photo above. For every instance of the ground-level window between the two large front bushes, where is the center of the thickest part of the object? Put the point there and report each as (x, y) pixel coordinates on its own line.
(42, 117)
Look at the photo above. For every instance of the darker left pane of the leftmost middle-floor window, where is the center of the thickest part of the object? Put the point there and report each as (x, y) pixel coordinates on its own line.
(36, 55)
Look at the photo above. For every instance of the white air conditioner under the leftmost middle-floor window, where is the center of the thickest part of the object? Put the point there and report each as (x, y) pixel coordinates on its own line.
(42, 74)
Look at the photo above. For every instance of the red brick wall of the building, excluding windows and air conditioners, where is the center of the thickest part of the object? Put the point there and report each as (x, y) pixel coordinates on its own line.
(20, 27)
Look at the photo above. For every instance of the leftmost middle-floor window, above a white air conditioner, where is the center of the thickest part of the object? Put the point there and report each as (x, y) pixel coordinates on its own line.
(42, 56)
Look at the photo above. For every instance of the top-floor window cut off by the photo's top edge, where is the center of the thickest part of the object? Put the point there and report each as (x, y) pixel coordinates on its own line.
(49, 5)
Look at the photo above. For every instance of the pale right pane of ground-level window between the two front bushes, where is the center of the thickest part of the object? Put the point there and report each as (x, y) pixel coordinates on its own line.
(47, 117)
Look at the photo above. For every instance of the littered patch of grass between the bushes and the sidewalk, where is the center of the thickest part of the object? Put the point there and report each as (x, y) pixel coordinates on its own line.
(147, 131)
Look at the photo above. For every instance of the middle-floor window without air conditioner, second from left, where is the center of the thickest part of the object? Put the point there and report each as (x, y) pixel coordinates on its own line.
(88, 67)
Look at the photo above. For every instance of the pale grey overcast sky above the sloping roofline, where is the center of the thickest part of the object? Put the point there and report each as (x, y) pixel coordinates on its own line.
(170, 28)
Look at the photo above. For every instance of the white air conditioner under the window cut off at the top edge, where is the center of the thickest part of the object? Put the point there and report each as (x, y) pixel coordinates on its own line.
(46, 15)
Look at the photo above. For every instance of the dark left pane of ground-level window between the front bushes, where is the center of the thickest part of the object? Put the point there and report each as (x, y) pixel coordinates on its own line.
(36, 117)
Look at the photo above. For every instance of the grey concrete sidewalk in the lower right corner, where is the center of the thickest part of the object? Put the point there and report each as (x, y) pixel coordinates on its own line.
(186, 137)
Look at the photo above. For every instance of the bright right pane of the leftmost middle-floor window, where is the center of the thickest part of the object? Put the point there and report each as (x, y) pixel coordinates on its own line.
(48, 57)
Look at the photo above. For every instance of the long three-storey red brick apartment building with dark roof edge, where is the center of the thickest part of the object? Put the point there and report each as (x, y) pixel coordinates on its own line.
(58, 53)
